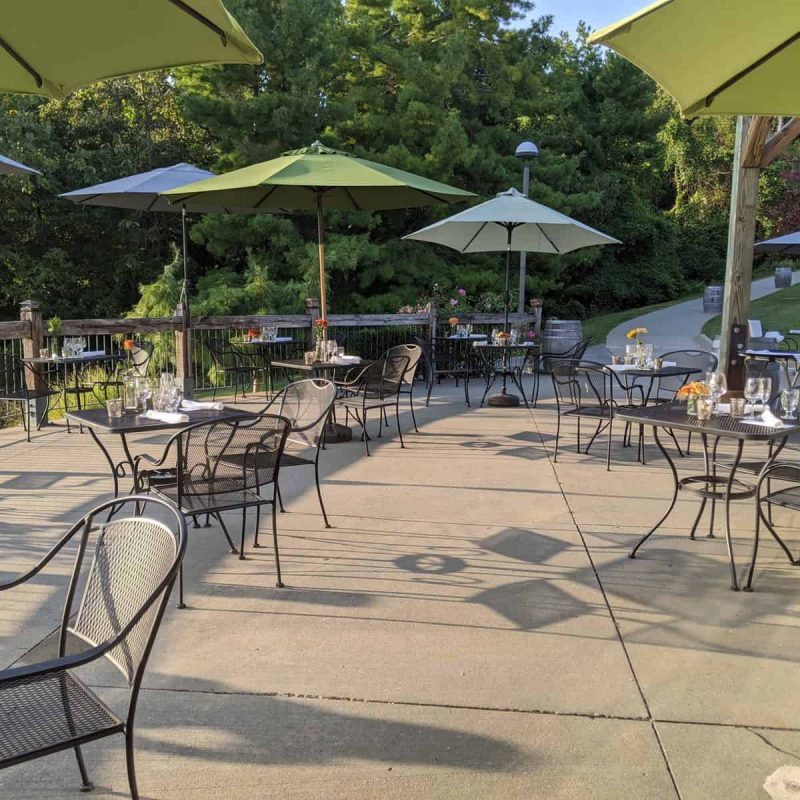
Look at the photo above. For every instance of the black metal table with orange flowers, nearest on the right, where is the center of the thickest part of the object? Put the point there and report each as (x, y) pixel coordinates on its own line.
(710, 485)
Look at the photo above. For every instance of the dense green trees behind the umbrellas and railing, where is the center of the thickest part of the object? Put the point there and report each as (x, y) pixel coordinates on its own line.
(443, 88)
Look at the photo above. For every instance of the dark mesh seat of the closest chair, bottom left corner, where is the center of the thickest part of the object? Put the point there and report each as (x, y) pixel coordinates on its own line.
(43, 712)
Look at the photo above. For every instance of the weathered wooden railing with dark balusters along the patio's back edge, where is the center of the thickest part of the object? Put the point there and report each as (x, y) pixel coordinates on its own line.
(182, 349)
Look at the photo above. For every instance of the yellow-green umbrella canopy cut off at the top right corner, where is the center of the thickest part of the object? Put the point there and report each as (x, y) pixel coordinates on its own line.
(720, 57)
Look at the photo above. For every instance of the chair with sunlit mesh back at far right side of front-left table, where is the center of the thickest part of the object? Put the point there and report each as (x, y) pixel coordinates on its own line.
(308, 406)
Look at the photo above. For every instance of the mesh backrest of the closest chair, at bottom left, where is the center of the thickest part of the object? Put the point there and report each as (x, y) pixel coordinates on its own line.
(127, 583)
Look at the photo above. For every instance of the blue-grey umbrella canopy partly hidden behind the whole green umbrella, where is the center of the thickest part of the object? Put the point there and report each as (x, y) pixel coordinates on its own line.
(141, 192)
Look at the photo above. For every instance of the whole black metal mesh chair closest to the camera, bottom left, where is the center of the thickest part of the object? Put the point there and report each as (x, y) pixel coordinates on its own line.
(45, 707)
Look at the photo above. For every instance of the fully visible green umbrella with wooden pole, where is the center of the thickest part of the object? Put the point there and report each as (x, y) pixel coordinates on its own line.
(317, 178)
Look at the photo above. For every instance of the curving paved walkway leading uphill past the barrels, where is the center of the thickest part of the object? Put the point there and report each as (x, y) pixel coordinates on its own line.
(679, 327)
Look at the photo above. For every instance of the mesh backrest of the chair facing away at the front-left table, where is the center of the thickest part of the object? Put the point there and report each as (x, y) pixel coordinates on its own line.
(229, 456)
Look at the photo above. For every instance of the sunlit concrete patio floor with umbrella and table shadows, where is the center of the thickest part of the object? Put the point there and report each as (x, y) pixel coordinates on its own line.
(470, 627)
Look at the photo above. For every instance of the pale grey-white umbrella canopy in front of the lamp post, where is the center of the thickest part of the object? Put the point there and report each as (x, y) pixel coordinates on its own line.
(511, 221)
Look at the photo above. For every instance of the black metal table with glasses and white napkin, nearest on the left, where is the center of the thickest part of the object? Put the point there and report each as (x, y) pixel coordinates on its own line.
(98, 421)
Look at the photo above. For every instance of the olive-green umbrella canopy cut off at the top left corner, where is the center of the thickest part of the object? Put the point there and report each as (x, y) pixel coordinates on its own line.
(52, 47)
